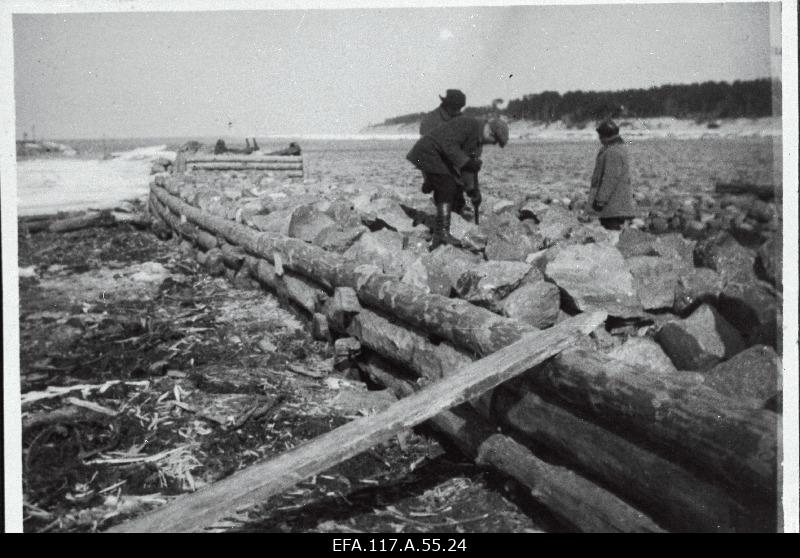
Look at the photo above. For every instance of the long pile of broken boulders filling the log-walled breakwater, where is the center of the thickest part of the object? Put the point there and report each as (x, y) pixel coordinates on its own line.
(680, 302)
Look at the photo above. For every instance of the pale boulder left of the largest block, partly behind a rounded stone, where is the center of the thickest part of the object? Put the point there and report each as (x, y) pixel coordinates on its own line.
(488, 283)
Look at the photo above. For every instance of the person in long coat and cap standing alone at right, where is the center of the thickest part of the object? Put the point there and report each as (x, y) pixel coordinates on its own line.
(610, 193)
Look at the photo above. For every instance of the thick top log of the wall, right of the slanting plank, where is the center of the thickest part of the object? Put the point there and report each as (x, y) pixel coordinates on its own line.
(688, 418)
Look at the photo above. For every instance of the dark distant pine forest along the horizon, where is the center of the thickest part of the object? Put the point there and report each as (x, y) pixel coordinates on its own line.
(702, 102)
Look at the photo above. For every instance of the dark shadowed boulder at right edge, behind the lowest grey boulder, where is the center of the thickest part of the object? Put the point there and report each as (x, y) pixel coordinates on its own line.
(753, 309)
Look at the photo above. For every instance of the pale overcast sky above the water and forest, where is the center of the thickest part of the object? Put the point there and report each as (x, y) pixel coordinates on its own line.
(335, 71)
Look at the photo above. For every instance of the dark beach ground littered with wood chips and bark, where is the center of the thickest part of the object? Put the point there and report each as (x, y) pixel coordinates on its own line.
(180, 379)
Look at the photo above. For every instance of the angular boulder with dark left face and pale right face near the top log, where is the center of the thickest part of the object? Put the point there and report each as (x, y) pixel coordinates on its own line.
(700, 341)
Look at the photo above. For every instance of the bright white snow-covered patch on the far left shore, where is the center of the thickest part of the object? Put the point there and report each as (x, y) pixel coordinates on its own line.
(47, 186)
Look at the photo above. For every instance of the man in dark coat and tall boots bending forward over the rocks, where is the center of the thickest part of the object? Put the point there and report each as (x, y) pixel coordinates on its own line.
(444, 154)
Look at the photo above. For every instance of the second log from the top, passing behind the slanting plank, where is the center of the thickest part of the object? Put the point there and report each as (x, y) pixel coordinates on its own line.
(666, 491)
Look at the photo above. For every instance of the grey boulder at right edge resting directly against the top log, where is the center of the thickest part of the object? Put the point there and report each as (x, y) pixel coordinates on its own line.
(753, 374)
